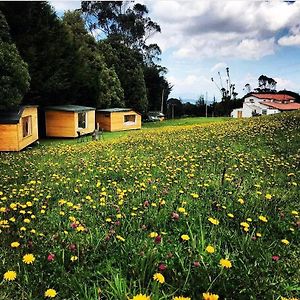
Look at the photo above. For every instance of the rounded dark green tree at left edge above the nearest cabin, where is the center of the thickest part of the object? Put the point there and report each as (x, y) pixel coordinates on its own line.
(14, 76)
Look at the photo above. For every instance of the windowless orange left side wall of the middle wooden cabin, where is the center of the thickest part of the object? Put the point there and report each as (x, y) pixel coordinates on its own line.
(60, 124)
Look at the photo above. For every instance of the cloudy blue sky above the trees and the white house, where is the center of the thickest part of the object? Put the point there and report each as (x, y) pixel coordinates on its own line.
(200, 38)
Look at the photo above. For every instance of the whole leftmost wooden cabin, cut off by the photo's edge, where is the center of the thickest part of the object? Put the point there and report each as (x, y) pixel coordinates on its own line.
(18, 128)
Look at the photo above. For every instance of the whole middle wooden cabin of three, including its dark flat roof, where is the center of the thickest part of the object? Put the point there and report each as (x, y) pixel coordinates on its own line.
(69, 120)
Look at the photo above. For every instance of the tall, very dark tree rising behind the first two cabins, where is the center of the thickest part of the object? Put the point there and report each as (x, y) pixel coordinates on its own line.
(45, 45)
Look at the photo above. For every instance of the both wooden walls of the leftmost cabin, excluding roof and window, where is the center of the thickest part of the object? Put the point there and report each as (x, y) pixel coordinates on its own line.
(11, 135)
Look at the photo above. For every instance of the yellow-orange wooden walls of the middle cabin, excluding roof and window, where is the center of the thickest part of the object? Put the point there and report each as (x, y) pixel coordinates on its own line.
(64, 123)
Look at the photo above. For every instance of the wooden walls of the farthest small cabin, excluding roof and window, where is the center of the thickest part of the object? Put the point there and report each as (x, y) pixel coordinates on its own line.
(115, 121)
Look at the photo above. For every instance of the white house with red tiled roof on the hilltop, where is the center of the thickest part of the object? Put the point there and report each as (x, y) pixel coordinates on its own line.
(256, 104)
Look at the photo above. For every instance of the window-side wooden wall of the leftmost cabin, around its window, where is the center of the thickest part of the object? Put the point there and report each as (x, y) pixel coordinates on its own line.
(25, 141)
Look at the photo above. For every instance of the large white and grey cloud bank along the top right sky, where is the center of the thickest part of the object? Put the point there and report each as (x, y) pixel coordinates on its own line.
(224, 29)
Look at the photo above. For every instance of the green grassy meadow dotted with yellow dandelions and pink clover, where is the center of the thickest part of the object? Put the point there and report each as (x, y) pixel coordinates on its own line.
(191, 211)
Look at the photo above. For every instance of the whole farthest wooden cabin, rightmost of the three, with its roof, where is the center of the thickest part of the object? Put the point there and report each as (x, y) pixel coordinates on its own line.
(118, 119)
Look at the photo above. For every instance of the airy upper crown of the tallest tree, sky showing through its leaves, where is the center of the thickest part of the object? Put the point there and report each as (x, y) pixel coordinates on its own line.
(126, 24)
